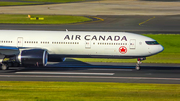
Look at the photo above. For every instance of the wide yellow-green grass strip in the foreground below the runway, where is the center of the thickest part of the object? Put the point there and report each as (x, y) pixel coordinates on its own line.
(82, 91)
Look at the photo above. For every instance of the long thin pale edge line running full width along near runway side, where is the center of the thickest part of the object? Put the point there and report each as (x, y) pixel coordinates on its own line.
(90, 77)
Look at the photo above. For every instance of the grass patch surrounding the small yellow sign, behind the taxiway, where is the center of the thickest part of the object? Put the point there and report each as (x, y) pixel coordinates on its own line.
(48, 19)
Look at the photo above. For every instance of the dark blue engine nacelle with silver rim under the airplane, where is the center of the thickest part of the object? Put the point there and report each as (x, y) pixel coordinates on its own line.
(33, 57)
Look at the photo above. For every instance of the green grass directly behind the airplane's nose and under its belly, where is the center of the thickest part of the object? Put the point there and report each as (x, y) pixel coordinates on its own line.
(171, 53)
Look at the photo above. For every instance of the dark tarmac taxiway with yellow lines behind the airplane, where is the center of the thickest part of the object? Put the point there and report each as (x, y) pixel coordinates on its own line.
(138, 24)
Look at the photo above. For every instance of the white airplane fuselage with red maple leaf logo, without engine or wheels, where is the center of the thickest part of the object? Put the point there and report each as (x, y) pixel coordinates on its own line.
(82, 44)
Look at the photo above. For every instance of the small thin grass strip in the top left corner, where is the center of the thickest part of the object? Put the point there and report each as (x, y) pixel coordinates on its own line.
(15, 3)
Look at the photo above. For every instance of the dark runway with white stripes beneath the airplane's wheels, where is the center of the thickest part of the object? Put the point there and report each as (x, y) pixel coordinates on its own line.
(96, 72)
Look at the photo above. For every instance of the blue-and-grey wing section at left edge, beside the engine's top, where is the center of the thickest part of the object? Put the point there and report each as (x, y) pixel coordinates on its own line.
(8, 50)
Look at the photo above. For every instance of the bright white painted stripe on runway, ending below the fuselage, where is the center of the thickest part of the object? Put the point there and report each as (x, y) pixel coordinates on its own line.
(65, 73)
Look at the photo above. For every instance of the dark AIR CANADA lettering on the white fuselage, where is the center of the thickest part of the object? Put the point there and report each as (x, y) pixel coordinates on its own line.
(94, 37)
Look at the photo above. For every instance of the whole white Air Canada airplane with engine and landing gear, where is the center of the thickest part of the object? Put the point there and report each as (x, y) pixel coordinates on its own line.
(36, 48)
